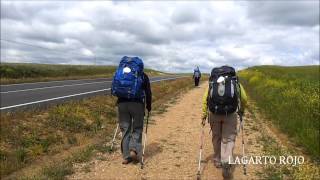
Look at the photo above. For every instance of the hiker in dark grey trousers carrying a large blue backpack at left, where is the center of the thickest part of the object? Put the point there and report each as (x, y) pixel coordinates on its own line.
(132, 87)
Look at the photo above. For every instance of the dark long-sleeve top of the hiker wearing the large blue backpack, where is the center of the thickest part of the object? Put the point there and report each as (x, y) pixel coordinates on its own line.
(148, 94)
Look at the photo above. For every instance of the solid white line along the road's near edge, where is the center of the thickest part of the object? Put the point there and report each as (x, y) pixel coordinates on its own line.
(73, 95)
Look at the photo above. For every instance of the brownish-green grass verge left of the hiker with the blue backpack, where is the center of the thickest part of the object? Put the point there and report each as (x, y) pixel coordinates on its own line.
(25, 136)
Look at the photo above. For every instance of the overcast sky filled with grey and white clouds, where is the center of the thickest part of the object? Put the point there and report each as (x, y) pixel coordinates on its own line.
(168, 36)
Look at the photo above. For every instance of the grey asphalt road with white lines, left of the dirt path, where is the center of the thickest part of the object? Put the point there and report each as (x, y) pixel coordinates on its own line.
(26, 95)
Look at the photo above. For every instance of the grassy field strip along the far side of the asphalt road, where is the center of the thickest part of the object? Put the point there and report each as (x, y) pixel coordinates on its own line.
(20, 73)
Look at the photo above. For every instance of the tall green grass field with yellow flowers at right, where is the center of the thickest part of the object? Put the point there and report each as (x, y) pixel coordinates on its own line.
(289, 96)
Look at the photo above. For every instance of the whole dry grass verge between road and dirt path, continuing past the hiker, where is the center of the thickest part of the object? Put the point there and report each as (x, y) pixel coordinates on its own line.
(30, 138)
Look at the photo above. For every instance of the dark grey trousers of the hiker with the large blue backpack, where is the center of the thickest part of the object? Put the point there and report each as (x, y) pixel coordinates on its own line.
(131, 116)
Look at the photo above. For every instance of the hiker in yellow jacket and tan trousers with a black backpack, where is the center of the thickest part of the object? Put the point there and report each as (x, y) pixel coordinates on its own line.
(223, 99)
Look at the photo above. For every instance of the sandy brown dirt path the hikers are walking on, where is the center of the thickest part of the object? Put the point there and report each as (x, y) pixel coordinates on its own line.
(173, 148)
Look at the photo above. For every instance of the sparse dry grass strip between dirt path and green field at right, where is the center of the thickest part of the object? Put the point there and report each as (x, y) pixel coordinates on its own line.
(272, 145)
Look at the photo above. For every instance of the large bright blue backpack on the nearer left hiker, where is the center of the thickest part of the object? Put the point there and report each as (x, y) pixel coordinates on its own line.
(128, 79)
